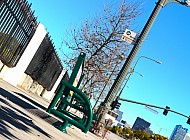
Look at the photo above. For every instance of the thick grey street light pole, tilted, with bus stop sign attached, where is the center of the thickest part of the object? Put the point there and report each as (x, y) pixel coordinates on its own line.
(126, 66)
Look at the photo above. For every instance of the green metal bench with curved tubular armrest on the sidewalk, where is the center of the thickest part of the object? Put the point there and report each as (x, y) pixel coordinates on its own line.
(78, 101)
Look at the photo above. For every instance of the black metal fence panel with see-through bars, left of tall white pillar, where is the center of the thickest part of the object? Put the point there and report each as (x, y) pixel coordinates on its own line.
(17, 26)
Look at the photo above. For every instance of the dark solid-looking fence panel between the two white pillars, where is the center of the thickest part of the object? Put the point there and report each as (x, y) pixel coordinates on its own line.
(45, 66)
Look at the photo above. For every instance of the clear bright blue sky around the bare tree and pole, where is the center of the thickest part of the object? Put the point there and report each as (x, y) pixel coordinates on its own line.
(168, 42)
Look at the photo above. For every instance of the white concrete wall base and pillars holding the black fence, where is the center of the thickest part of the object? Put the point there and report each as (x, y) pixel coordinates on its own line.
(16, 75)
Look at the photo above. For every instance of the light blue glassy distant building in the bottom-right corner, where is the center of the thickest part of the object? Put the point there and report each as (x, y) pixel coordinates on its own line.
(178, 133)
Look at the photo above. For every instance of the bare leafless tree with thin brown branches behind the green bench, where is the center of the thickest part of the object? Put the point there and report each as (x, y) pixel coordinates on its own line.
(100, 39)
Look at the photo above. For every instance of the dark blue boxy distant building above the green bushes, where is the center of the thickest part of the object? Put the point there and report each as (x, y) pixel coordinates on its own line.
(141, 124)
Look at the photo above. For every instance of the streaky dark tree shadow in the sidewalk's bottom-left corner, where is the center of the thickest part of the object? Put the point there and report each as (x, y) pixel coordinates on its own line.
(13, 118)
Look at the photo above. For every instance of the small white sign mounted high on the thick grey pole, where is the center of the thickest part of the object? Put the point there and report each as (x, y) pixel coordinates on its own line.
(129, 36)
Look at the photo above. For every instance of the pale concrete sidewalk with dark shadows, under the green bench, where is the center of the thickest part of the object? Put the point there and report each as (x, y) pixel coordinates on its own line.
(23, 117)
